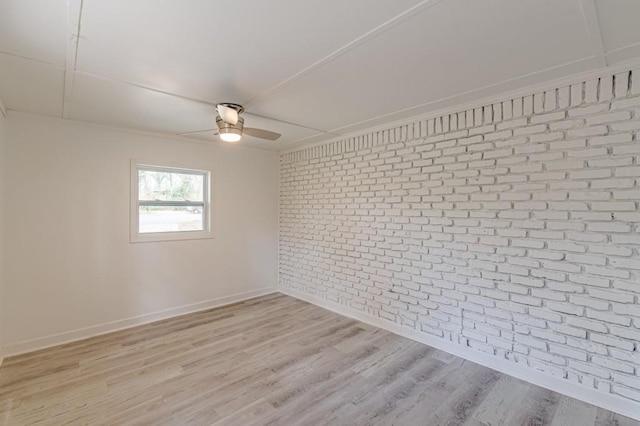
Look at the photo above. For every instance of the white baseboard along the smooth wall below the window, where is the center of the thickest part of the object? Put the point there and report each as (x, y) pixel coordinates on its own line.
(17, 348)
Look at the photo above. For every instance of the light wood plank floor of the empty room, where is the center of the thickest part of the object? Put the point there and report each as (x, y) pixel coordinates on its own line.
(273, 360)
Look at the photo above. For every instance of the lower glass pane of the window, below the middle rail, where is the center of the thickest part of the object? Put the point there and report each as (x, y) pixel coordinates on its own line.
(170, 219)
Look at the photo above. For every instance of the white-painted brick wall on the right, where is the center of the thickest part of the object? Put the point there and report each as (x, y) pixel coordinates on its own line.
(512, 229)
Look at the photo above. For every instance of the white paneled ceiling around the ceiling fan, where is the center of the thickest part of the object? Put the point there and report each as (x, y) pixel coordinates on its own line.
(316, 68)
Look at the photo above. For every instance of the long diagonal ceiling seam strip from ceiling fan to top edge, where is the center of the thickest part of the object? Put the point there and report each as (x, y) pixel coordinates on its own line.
(420, 7)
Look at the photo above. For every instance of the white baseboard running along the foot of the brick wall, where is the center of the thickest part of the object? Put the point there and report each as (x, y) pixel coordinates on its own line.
(592, 396)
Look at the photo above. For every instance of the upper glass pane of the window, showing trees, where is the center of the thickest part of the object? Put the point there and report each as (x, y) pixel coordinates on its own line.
(170, 186)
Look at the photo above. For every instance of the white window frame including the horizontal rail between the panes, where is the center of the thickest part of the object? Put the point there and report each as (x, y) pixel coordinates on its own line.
(134, 217)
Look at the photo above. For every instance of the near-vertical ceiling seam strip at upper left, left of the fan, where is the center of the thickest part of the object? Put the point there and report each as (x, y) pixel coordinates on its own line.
(74, 17)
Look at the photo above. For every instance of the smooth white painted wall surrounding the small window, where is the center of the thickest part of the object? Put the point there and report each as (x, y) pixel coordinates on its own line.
(68, 260)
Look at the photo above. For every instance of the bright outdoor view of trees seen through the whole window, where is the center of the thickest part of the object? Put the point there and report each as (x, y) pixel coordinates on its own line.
(170, 201)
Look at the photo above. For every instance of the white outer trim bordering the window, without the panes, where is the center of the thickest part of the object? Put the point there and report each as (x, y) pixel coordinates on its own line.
(137, 237)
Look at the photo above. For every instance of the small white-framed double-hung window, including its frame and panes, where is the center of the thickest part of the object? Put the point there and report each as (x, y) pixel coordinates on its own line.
(169, 203)
